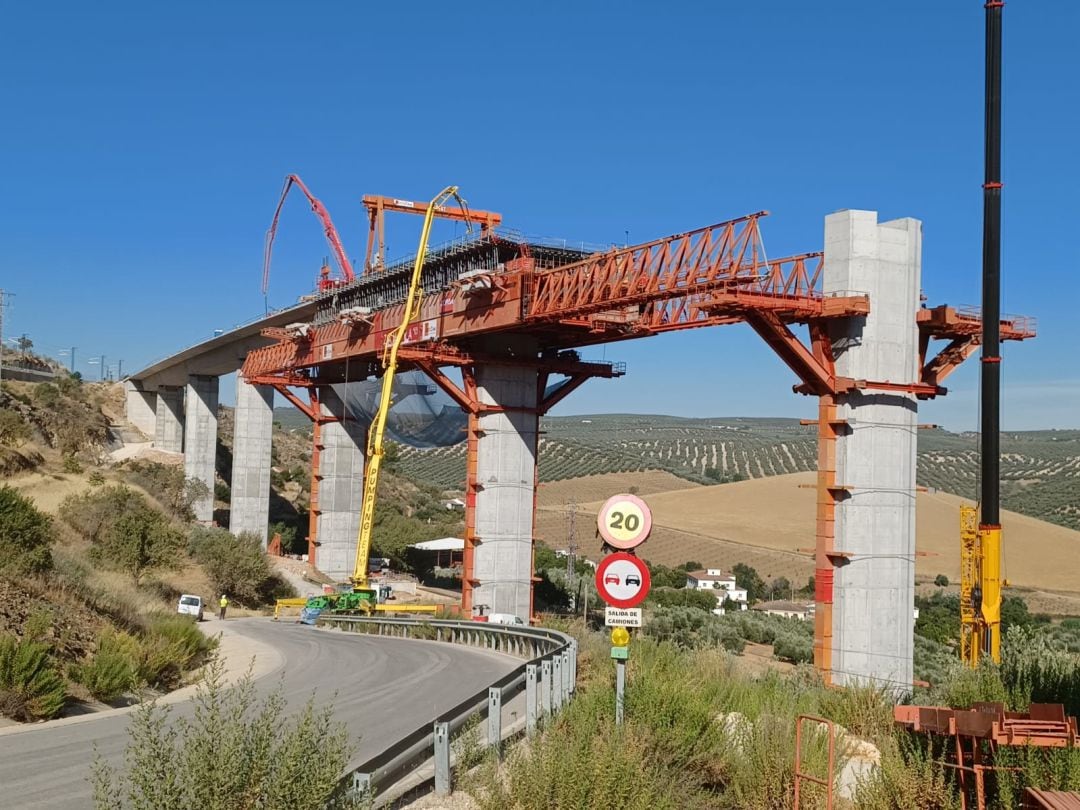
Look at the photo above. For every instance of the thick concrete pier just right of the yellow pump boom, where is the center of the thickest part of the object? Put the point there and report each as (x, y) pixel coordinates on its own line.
(506, 474)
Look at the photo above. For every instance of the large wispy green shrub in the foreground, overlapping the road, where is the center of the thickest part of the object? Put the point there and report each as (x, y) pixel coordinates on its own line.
(211, 762)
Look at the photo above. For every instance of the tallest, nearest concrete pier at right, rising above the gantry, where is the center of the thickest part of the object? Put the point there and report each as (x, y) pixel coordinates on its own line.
(873, 622)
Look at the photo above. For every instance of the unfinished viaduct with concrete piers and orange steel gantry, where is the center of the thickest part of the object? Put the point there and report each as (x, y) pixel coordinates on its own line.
(509, 314)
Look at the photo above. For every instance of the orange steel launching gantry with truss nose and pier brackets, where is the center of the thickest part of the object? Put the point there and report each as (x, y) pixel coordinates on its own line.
(502, 299)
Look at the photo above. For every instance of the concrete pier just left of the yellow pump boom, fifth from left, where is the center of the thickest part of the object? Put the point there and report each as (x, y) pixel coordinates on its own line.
(341, 489)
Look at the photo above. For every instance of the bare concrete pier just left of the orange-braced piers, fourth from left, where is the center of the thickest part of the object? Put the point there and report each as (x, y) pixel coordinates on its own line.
(253, 428)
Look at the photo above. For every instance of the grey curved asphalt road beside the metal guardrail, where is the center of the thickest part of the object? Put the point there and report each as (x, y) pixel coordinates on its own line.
(385, 690)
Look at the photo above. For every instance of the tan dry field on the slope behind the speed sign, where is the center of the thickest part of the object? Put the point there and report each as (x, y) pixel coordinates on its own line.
(764, 522)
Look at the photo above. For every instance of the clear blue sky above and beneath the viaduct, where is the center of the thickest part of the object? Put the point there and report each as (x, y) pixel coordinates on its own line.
(144, 147)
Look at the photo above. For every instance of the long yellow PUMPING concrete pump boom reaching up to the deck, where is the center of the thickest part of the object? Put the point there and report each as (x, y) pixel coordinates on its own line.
(377, 431)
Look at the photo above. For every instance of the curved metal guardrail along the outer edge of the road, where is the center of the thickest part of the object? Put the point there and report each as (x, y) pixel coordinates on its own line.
(548, 679)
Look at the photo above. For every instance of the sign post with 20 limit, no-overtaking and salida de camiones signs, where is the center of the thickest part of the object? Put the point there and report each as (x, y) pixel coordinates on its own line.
(623, 580)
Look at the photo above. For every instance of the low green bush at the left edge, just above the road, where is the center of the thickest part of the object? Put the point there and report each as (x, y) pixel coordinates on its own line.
(31, 686)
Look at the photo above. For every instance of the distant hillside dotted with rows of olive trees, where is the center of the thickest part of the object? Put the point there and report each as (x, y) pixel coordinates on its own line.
(1041, 469)
